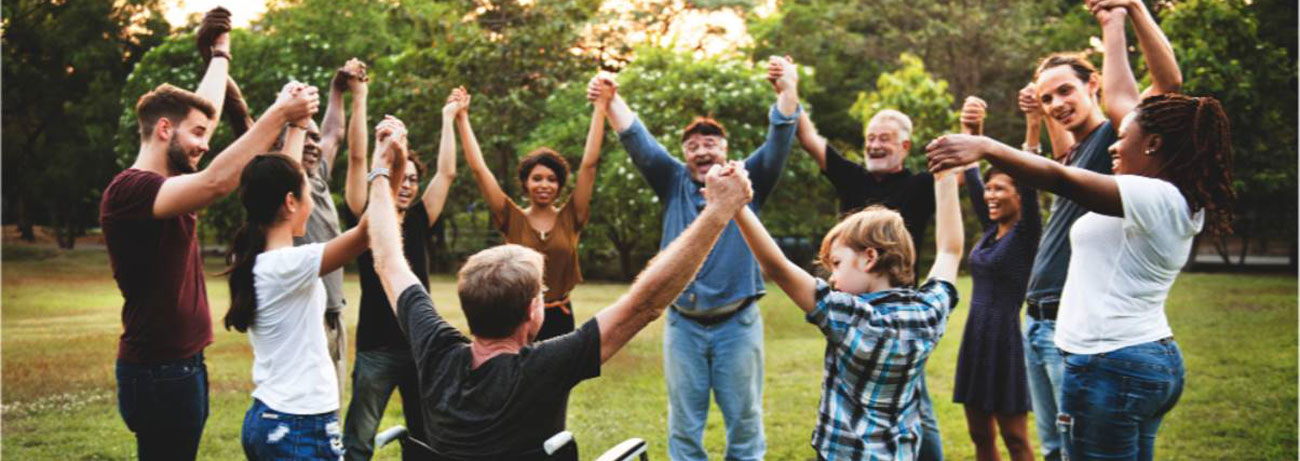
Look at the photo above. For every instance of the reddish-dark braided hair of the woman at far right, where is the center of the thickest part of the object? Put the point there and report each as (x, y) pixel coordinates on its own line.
(1197, 145)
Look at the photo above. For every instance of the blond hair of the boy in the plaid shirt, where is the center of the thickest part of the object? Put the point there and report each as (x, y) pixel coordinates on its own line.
(876, 228)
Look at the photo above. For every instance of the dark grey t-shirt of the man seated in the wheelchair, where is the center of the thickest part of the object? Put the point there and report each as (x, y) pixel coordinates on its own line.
(508, 407)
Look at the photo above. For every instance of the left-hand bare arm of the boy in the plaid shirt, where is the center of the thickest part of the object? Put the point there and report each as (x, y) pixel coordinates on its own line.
(796, 282)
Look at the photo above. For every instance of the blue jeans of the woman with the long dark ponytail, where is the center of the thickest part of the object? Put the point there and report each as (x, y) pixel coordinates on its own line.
(274, 436)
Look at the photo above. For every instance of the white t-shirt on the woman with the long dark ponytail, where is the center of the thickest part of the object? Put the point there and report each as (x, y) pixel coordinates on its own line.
(292, 369)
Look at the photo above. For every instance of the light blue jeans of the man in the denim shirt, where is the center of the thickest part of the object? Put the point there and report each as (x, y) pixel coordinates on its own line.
(726, 359)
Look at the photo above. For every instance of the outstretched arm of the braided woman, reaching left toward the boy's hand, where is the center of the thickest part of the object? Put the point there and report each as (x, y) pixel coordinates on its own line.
(1098, 193)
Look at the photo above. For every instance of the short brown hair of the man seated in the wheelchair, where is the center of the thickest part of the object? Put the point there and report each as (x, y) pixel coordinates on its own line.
(497, 286)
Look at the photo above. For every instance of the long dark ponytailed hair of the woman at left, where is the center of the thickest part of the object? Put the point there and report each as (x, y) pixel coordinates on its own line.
(262, 190)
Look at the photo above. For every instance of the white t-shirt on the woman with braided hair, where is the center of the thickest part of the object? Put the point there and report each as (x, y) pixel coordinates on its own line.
(1121, 269)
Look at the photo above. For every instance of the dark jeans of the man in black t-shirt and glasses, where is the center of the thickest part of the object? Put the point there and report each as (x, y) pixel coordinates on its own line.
(375, 375)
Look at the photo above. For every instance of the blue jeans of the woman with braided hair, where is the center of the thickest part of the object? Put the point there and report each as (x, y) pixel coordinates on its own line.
(1112, 403)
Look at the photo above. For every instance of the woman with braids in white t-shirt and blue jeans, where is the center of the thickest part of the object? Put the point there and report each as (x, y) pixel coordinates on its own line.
(1173, 164)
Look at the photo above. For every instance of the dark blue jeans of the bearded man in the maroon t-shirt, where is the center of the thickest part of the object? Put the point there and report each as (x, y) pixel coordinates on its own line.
(166, 406)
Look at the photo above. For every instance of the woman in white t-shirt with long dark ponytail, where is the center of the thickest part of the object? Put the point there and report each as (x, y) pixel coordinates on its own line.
(279, 299)
